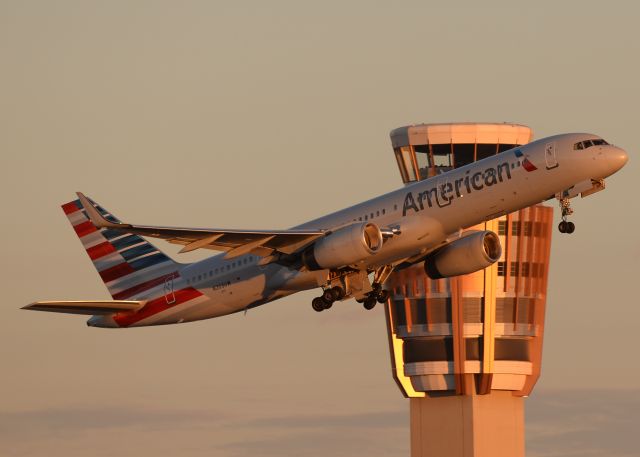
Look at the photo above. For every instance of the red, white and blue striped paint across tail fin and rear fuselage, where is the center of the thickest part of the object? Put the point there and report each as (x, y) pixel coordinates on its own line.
(132, 268)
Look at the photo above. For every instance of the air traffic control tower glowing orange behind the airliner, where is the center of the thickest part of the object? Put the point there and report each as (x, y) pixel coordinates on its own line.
(467, 349)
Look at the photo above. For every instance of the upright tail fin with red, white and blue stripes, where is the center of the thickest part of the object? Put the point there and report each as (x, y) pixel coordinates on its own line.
(130, 266)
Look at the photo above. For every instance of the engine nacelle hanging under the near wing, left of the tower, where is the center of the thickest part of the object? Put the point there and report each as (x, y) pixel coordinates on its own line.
(343, 247)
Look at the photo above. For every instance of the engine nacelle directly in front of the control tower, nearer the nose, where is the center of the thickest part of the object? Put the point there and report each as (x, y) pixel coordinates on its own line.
(468, 254)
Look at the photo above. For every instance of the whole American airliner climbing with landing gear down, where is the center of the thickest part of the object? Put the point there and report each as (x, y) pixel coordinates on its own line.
(348, 254)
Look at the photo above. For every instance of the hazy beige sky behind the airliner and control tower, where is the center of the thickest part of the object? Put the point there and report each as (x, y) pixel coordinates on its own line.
(263, 115)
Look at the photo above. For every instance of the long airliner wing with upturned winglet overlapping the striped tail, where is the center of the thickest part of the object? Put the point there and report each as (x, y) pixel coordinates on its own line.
(235, 242)
